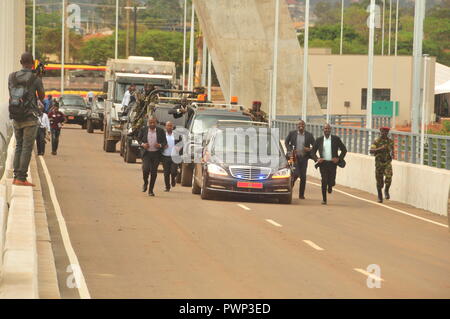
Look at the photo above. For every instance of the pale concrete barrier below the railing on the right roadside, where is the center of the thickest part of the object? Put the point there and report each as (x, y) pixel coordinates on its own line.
(417, 185)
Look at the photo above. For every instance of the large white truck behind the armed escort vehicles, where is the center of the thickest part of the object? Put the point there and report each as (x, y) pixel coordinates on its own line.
(120, 74)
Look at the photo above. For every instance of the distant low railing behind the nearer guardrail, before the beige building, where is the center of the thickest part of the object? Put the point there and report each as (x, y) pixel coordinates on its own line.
(342, 120)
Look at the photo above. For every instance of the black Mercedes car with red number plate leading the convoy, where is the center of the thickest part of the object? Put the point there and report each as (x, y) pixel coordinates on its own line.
(244, 159)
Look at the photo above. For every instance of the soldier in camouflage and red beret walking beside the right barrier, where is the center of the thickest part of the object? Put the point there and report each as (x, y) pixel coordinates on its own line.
(383, 149)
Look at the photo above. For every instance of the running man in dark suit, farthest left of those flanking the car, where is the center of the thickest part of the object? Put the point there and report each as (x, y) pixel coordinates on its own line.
(153, 140)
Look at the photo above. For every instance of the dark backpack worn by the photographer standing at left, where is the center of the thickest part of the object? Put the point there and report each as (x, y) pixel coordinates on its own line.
(20, 105)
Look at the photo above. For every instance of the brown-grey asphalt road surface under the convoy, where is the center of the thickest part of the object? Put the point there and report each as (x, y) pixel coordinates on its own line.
(176, 245)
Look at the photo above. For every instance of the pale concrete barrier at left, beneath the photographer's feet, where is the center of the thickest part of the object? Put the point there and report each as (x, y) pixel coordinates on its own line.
(19, 262)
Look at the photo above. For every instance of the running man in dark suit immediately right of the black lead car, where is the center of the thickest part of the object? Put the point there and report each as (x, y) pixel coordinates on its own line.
(298, 144)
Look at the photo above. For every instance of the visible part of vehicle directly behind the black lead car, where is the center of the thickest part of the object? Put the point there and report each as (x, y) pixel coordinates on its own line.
(204, 118)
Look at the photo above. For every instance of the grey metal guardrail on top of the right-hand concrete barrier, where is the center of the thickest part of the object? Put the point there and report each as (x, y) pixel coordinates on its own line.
(407, 145)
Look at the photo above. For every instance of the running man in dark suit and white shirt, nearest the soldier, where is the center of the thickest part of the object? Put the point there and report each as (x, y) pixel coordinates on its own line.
(328, 146)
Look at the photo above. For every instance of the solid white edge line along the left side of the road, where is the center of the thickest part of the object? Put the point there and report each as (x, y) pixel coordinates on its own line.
(81, 283)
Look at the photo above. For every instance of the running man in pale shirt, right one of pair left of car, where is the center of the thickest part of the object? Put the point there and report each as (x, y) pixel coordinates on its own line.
(170, 168)
